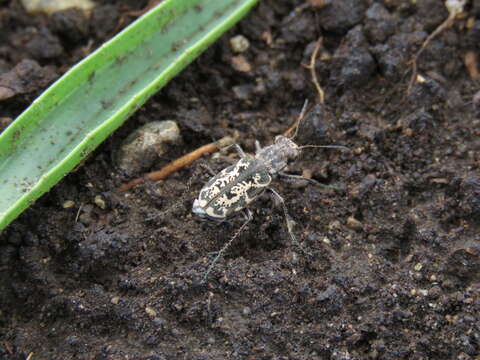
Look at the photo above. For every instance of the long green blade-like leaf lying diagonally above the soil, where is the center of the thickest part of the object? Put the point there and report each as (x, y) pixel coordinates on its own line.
(72, 117)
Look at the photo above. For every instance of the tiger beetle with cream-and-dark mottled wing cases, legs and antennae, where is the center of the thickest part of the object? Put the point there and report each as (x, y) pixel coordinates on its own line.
(235, 187)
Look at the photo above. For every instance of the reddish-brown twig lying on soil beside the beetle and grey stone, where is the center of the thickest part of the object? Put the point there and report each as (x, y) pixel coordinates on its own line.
(179, 163)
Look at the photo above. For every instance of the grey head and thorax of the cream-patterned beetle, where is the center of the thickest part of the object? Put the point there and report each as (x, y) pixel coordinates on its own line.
(277, 155)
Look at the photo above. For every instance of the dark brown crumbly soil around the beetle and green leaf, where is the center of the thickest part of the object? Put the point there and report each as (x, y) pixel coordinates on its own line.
(395, 271)
